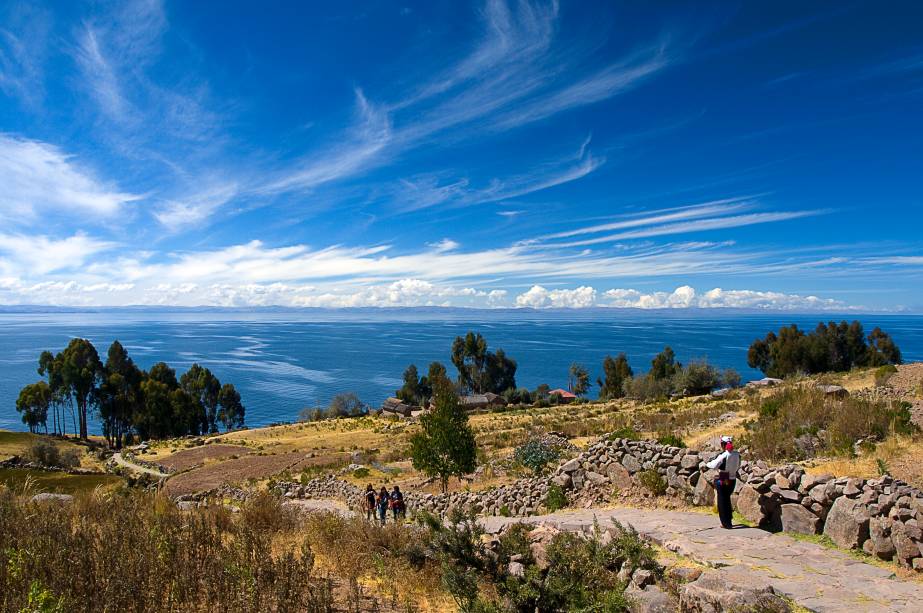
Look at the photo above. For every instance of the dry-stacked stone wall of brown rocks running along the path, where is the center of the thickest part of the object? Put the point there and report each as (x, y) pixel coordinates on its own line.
(883, 517)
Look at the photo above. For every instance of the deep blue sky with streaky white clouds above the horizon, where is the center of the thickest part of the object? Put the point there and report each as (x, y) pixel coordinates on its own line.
(471, 154)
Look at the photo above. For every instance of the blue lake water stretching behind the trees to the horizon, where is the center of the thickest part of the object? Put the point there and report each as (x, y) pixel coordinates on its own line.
(283, 362)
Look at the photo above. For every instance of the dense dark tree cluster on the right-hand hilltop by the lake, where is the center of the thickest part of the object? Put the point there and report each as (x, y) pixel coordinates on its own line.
(831, 347)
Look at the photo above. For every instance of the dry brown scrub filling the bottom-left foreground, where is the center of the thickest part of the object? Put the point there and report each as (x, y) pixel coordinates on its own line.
(139, 553)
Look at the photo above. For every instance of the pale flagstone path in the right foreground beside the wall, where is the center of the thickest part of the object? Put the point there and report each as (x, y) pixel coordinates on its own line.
(815, 577)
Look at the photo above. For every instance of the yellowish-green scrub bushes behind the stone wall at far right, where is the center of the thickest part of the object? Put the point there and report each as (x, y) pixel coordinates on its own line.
(801, 422)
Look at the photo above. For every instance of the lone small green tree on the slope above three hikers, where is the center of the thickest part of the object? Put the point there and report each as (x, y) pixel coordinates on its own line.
(445, 445)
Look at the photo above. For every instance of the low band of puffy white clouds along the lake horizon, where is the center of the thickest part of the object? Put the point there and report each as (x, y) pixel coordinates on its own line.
(409, 292)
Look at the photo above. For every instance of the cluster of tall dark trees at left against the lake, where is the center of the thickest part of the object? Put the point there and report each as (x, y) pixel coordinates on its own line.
(127, 399)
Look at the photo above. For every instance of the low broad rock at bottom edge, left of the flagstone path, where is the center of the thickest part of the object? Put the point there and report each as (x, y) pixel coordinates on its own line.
(711, 594)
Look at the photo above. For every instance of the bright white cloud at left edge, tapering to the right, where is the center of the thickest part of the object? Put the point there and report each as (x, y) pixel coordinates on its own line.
(37, 177)
